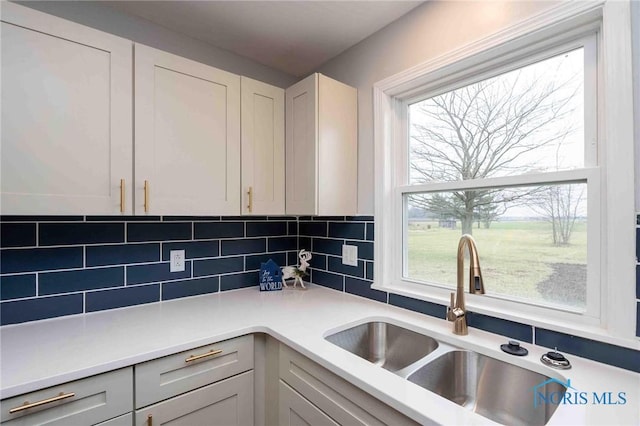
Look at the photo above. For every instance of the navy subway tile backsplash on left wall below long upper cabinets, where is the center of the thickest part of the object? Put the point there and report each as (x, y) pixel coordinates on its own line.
(52, 266)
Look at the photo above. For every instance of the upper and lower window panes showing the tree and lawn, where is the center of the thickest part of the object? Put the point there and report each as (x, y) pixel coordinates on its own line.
(533, 238)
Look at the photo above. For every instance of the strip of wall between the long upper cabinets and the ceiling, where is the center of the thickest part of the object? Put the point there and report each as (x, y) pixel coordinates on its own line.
(109, 20)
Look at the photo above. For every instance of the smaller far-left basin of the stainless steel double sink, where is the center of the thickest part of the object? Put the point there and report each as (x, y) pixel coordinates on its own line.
(389, 346)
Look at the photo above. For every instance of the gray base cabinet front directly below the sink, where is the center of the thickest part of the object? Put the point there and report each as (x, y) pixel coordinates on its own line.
(339, 401)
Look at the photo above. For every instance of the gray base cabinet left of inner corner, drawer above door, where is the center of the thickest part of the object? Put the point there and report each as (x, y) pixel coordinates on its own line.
(211, 385)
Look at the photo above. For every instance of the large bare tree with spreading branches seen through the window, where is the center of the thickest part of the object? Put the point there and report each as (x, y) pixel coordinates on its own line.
(483, 130)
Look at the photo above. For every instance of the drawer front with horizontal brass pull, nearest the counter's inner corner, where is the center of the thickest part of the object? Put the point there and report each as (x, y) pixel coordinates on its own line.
(172, 375)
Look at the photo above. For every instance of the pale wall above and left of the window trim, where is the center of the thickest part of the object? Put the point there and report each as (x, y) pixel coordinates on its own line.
(426, 32)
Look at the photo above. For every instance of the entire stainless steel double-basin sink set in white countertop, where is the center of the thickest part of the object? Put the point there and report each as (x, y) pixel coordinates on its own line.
(495, 389)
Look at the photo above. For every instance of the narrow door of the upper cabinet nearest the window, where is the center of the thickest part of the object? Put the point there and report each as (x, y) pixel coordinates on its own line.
(301, 142)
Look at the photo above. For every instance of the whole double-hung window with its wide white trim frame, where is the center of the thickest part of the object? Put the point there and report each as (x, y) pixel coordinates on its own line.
(523, 140)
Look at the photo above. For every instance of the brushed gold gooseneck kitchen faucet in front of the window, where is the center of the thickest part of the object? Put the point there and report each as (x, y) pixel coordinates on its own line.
(457, 309)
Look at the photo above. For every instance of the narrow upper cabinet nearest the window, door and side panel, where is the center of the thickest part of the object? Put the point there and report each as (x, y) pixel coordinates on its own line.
(321, 147)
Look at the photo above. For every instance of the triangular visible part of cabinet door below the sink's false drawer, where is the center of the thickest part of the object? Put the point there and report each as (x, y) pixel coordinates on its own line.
(295, 410)
